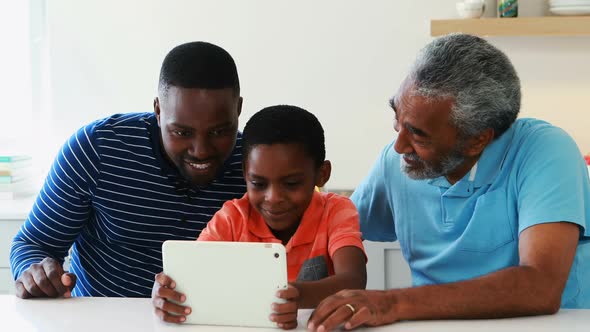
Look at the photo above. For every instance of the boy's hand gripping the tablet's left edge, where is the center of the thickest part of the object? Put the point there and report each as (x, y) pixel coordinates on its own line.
(162, 295)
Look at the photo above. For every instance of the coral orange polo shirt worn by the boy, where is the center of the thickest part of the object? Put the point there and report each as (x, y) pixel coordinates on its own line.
(329, 223)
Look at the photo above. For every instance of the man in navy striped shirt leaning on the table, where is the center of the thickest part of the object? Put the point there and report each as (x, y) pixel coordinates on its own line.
(124, 184)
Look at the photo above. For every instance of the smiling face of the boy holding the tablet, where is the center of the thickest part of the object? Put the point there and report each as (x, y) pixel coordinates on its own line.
(281, 180)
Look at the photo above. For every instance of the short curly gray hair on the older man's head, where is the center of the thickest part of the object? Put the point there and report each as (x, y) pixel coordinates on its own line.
(478, 76)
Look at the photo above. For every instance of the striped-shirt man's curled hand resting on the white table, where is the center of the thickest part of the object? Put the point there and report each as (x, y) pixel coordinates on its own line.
(45, 279)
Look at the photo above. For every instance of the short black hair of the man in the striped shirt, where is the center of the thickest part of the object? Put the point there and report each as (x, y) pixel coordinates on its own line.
(198, 65)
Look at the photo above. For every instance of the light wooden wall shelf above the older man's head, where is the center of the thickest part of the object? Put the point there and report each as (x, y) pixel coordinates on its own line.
(521, 26)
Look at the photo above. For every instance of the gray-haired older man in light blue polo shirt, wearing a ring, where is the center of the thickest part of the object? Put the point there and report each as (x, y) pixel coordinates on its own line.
(491, 213)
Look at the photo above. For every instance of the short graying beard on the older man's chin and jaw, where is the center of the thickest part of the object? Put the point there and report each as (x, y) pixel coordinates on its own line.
(429, 171)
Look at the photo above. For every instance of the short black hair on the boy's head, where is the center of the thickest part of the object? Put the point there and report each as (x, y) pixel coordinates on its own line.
(285, 124)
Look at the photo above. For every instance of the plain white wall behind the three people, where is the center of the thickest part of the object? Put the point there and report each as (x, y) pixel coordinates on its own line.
(342, 60)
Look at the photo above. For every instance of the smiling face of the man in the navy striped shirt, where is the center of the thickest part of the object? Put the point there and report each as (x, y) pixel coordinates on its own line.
(198, 128)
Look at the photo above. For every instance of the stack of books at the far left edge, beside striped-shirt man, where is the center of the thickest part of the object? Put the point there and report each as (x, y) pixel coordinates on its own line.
(16, 176)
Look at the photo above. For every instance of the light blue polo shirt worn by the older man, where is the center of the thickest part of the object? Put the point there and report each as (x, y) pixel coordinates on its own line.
(534, 173)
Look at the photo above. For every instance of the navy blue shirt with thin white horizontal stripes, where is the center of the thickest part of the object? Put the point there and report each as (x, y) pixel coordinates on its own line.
(113, 198)
